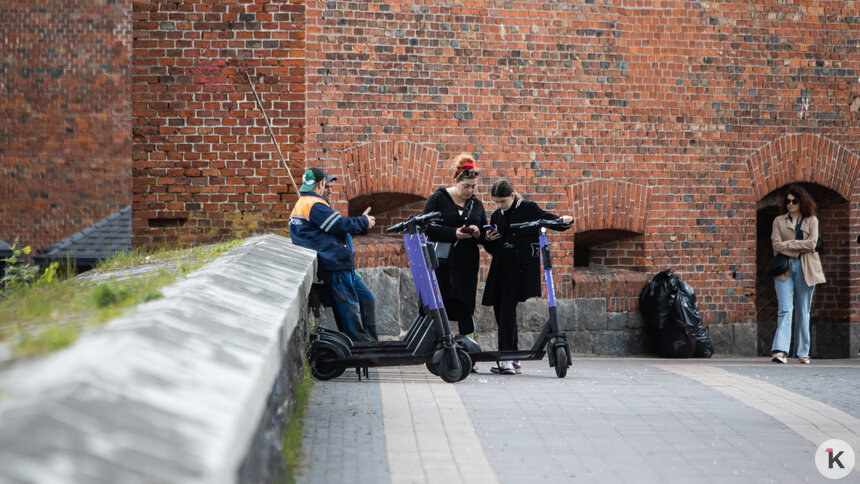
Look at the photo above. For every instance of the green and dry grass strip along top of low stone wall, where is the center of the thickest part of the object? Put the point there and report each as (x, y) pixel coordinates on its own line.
(43, 318)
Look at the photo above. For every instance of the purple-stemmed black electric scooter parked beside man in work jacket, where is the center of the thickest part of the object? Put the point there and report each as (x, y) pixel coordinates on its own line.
(429, 338)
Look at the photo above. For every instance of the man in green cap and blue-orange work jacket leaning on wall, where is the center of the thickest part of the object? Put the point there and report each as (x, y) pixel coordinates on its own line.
(315, 225)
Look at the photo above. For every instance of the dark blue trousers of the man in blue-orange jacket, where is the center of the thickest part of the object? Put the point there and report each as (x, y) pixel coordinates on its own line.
(353, 304)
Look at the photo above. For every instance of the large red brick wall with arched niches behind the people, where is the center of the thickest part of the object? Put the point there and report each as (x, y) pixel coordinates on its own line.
(678, 116)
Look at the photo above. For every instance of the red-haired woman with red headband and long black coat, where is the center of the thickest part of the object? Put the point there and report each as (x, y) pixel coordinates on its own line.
(458, 234)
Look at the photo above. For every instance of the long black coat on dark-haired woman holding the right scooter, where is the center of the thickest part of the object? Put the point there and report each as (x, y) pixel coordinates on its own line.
(515, 252)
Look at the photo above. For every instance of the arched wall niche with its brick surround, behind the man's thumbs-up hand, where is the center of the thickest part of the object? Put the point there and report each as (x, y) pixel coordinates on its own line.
(387, 176)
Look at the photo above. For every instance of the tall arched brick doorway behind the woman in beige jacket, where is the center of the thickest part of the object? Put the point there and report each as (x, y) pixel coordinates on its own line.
(829, 173)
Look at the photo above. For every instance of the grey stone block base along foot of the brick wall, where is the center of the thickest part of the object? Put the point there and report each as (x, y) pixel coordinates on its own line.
(593, 329)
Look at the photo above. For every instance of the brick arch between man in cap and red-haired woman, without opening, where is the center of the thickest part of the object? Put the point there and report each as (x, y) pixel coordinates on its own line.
(389, 167)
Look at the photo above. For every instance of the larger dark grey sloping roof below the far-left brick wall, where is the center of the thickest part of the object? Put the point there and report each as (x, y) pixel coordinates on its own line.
(99, 241)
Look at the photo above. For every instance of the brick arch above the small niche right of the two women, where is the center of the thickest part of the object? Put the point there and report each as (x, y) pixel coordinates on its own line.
(609, 205)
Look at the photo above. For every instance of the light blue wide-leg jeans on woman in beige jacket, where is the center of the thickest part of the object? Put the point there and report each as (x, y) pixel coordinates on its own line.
(795, 298)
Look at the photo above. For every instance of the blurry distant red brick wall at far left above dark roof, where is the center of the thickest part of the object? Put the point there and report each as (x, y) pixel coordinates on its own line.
(65, 123)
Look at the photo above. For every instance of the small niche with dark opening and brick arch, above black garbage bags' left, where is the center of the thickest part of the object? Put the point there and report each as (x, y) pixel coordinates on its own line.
(607, 212)
